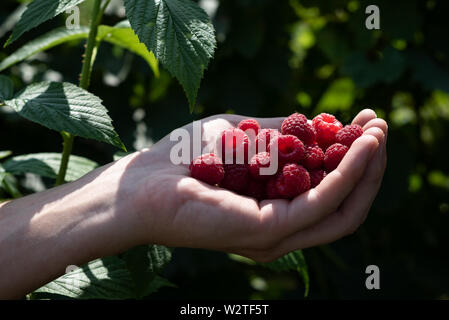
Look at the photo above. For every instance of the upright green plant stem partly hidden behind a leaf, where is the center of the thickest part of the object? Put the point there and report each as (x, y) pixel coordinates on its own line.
(84, 84)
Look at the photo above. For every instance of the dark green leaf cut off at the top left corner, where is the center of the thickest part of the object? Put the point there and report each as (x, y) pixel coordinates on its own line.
(38, 12)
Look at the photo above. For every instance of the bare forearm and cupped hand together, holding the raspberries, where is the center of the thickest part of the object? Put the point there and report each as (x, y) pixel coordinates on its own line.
(143, 198)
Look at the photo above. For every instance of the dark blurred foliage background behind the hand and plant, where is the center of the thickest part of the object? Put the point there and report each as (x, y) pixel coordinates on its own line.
(274, 58)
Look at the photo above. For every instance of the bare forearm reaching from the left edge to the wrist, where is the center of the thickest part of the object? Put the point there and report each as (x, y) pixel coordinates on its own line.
(42, 234)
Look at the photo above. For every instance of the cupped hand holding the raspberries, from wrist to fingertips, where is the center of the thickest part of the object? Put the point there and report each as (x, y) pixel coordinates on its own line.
(171, 208)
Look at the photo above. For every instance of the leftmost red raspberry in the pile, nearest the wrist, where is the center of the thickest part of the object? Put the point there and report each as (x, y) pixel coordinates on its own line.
(208, 168)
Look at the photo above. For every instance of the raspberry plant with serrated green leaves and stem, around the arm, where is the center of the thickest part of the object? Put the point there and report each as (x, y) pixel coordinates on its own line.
(176, 33)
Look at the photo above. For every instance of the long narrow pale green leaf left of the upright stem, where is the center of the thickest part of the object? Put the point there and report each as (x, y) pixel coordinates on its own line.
(44, 42)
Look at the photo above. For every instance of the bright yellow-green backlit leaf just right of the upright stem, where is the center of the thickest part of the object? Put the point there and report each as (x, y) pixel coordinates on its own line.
(123, 36)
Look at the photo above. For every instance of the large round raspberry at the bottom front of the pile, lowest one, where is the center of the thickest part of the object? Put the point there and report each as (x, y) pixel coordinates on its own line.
(292, 181)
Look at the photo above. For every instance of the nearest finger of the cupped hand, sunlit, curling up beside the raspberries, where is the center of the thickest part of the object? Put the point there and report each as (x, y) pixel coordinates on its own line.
(314, 205)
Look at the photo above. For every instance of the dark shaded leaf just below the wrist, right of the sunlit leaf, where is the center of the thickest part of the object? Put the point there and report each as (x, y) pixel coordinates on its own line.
(144, 263)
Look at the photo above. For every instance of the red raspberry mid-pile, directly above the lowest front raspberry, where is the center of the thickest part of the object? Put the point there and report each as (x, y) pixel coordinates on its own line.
(290, 148)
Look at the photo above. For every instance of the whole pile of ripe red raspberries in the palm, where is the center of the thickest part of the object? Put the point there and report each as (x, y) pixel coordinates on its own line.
(307, 151)
